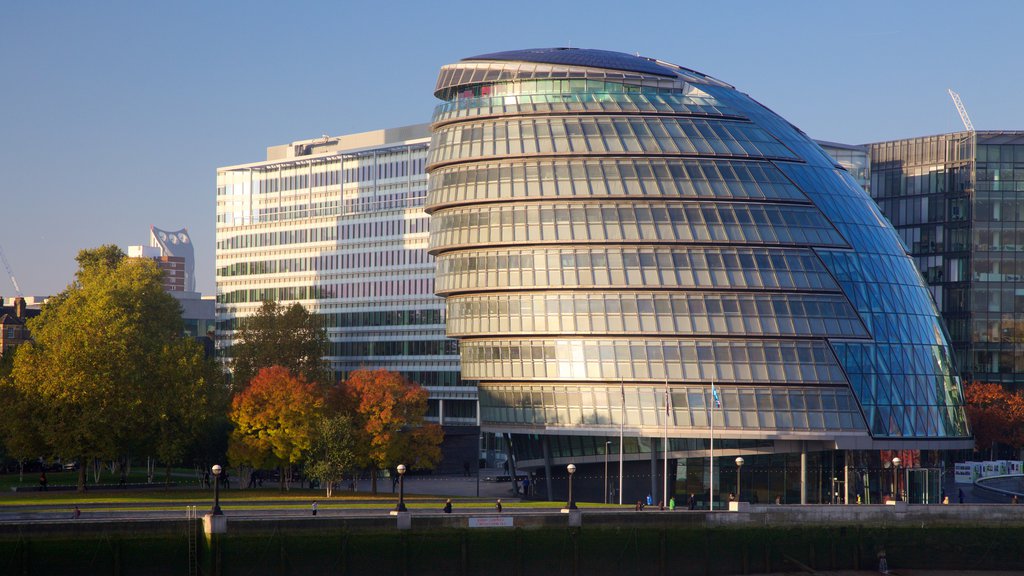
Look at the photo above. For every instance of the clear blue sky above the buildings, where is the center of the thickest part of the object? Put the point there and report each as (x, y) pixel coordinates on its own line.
(116, 114)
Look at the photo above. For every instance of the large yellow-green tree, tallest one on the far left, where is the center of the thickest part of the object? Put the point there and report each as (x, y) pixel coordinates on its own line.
(88, 378)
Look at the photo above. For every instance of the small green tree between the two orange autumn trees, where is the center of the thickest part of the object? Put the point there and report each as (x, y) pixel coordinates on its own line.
(334, 451)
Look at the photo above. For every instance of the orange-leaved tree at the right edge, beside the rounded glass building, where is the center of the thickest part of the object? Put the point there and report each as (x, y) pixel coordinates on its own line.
(997, 417)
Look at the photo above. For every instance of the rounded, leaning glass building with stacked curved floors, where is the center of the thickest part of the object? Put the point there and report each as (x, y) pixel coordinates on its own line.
(631, 250)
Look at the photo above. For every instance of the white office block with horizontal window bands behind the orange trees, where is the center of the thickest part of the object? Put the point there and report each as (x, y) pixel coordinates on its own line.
(337, 225)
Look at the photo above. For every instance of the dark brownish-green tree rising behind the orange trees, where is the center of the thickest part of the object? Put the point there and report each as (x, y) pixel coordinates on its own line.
(291, 338)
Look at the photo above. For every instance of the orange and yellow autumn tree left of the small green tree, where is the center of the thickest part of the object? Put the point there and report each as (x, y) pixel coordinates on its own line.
(274, 421)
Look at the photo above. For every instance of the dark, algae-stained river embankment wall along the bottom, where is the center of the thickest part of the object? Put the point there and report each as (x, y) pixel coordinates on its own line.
(759, 540)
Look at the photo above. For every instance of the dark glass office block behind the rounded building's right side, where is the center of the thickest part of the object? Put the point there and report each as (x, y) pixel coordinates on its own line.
(958, 202)
